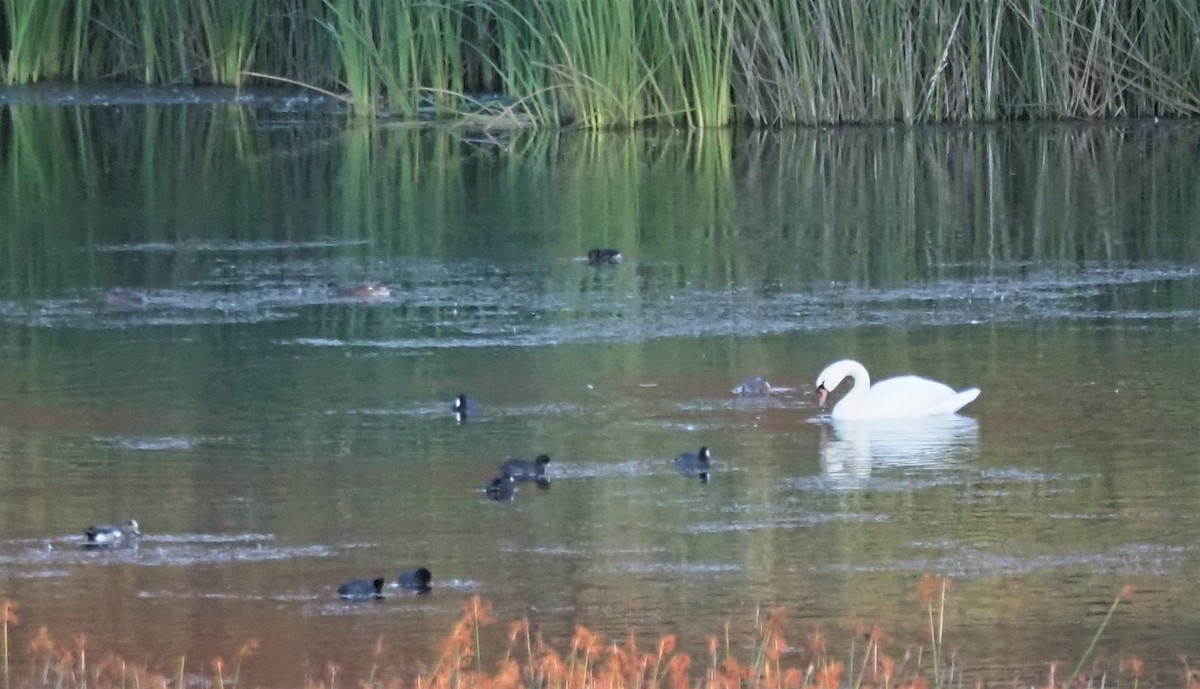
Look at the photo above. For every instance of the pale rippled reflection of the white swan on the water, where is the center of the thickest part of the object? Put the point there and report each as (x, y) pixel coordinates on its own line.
(850, 450)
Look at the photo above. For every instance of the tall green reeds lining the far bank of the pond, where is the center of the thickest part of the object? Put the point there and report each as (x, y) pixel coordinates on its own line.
(613, 65)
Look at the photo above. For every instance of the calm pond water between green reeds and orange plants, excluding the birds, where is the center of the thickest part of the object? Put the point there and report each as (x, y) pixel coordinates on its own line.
(274, 439)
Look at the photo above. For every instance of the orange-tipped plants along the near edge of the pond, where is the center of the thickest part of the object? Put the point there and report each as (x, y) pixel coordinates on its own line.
(874, 661)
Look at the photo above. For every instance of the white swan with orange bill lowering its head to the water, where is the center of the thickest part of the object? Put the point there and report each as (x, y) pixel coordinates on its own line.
(901, 398)
